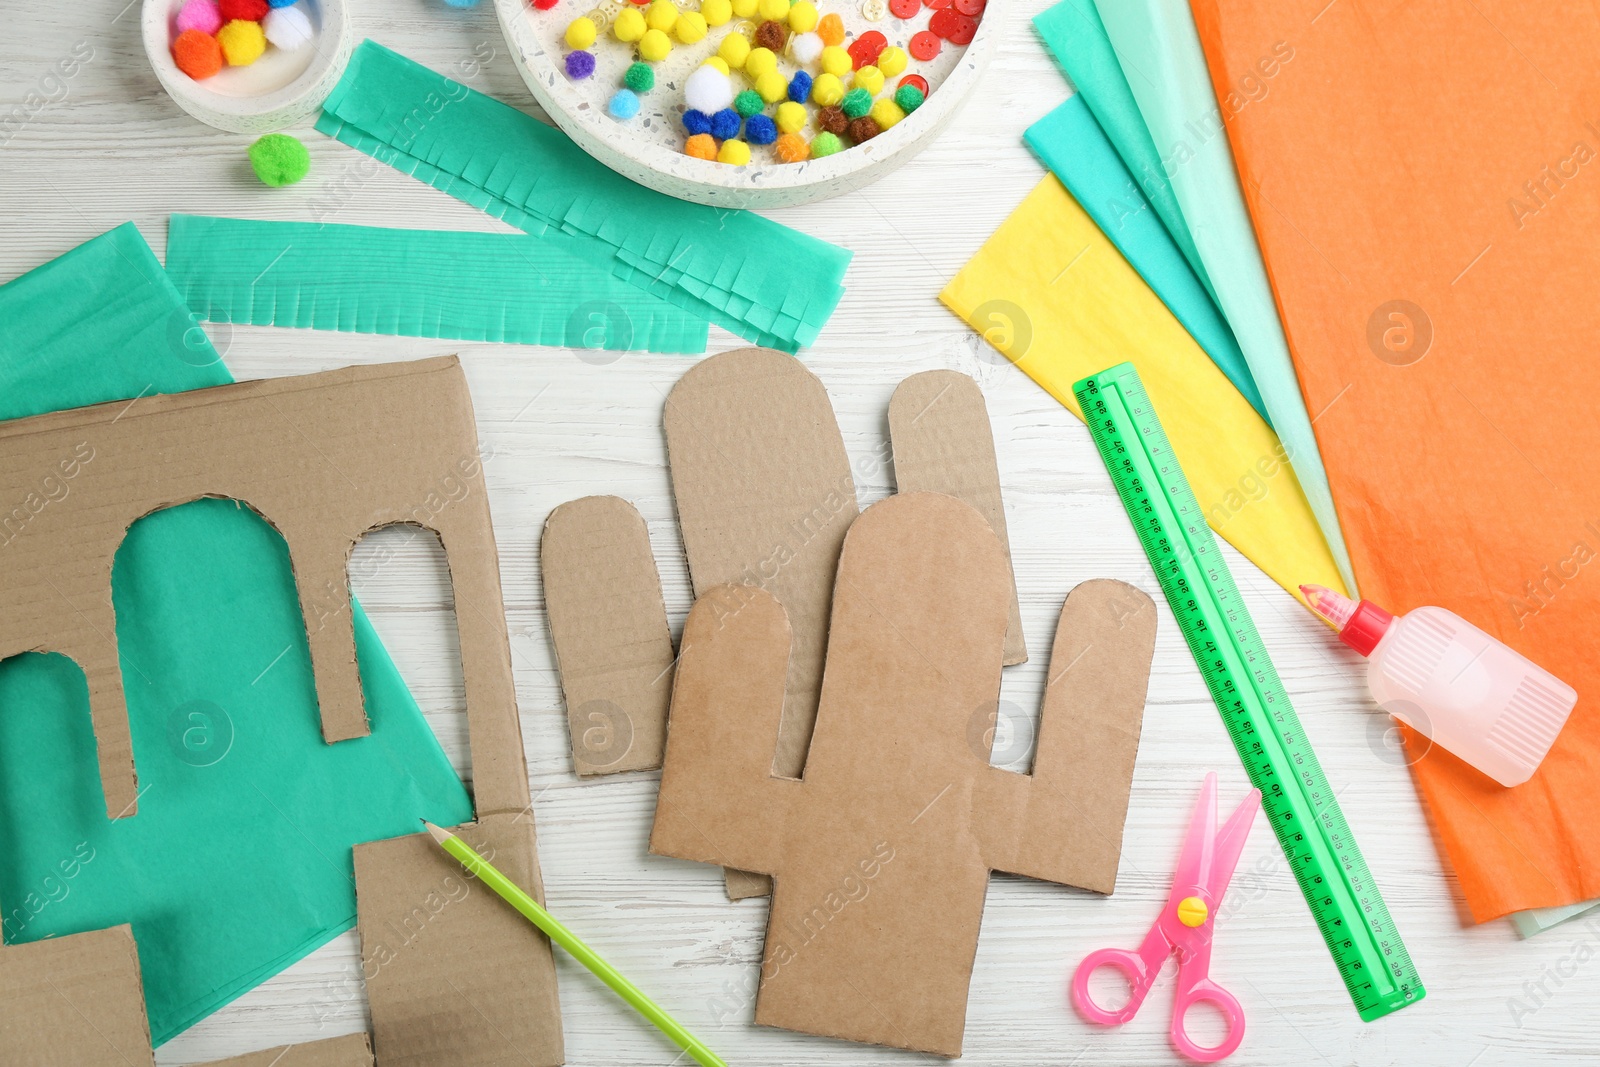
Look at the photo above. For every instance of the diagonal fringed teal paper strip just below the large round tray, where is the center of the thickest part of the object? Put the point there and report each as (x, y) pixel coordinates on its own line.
(748, 274)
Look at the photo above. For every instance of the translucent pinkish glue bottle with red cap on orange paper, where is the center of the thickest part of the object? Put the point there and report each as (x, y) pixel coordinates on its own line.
(1454, 684)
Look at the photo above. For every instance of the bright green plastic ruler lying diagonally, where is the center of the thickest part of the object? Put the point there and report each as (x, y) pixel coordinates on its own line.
(1246, 685)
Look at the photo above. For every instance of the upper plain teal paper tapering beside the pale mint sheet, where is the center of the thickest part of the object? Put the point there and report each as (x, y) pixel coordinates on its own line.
(1074, 34)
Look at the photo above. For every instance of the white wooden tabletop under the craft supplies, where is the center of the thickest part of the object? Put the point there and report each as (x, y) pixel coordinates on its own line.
(113, 148)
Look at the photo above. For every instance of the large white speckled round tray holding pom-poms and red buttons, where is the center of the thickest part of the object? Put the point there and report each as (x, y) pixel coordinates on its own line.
(650, 148)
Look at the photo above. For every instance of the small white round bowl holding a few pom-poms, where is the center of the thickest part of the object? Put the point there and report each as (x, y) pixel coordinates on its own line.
(276, 92)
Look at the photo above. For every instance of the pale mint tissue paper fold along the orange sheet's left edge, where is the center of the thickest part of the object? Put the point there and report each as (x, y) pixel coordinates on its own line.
(1162, 58)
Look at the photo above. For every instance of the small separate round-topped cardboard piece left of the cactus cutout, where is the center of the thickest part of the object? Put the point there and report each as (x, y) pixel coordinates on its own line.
(609, 625)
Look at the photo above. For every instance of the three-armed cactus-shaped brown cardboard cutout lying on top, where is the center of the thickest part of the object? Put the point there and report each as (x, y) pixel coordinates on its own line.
(874, 921)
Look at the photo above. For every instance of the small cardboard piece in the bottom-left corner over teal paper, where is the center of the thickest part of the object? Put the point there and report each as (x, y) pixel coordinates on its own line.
(74, 1002)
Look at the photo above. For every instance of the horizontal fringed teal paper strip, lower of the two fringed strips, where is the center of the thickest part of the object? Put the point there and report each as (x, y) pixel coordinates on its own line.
(417, 284)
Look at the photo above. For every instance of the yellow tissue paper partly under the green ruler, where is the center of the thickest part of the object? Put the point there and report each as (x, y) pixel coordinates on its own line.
(1055, 297)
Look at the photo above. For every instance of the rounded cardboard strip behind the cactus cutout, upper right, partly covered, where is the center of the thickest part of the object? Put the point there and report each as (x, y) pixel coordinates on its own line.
(943, 444)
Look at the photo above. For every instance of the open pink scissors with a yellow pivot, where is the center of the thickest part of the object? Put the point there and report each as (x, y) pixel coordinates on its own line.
(1185, 927)
